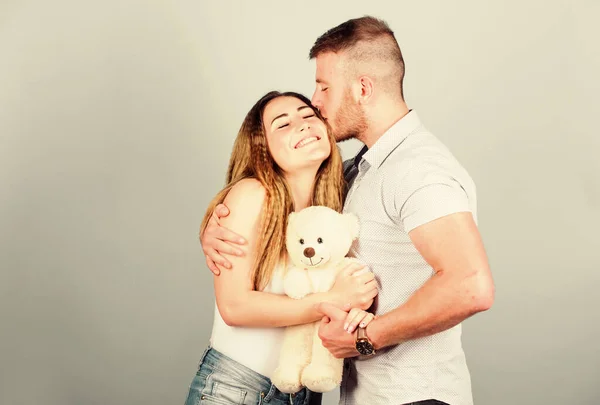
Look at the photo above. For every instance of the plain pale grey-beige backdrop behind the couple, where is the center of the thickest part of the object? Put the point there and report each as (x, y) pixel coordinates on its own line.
(117, 119)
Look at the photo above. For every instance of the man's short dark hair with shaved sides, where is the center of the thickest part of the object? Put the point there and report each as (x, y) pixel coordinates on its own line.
(366, 40)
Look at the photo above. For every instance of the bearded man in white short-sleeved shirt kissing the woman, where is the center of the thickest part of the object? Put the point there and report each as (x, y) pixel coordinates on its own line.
(417, 210)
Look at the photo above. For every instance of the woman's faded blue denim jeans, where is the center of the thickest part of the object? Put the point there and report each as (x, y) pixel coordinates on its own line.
(221, 380)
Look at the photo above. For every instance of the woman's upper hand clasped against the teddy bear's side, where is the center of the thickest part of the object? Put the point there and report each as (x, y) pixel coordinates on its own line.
(354, 287)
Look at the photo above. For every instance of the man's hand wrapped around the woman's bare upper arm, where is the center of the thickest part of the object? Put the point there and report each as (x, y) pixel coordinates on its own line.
(217, 240)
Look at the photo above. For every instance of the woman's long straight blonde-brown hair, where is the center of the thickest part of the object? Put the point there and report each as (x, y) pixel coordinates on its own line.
(251, 158)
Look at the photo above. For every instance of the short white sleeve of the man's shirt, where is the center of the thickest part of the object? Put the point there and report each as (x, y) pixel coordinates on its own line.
(423, 197)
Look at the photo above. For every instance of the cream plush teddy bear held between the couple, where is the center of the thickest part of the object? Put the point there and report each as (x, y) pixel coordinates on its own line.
(318, 239)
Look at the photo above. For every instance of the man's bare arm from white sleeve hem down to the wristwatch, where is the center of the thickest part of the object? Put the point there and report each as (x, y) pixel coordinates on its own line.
(461, 286)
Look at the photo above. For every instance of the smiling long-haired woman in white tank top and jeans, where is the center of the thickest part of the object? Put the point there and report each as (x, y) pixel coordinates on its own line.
(284, 159)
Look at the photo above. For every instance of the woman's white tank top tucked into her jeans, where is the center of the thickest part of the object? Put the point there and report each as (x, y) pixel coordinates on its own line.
(254, 347)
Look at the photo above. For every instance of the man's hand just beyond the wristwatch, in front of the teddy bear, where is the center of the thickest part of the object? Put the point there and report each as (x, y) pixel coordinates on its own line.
(341, 344)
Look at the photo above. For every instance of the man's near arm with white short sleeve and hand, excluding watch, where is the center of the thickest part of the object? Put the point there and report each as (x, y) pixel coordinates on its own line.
(434, 208)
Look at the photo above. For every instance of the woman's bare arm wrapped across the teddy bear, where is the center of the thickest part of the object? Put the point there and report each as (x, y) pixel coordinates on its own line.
(238, 303)
